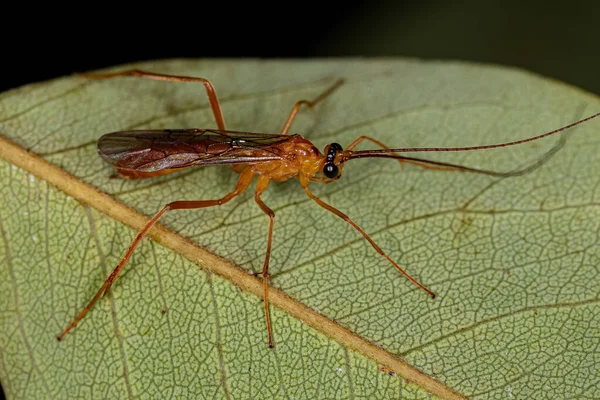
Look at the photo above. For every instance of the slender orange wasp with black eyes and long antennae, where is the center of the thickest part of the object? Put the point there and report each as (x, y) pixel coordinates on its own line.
(269, 157)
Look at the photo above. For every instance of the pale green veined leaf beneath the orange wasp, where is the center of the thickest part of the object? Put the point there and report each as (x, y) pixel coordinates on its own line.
(514, 261)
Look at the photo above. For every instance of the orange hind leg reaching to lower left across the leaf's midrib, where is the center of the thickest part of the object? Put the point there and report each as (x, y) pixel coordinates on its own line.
(243, 183)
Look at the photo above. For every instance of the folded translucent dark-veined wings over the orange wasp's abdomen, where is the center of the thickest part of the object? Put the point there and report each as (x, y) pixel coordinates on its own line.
(153, 152)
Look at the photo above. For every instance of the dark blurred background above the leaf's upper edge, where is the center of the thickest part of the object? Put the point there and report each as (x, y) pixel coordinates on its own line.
(559, 40)
